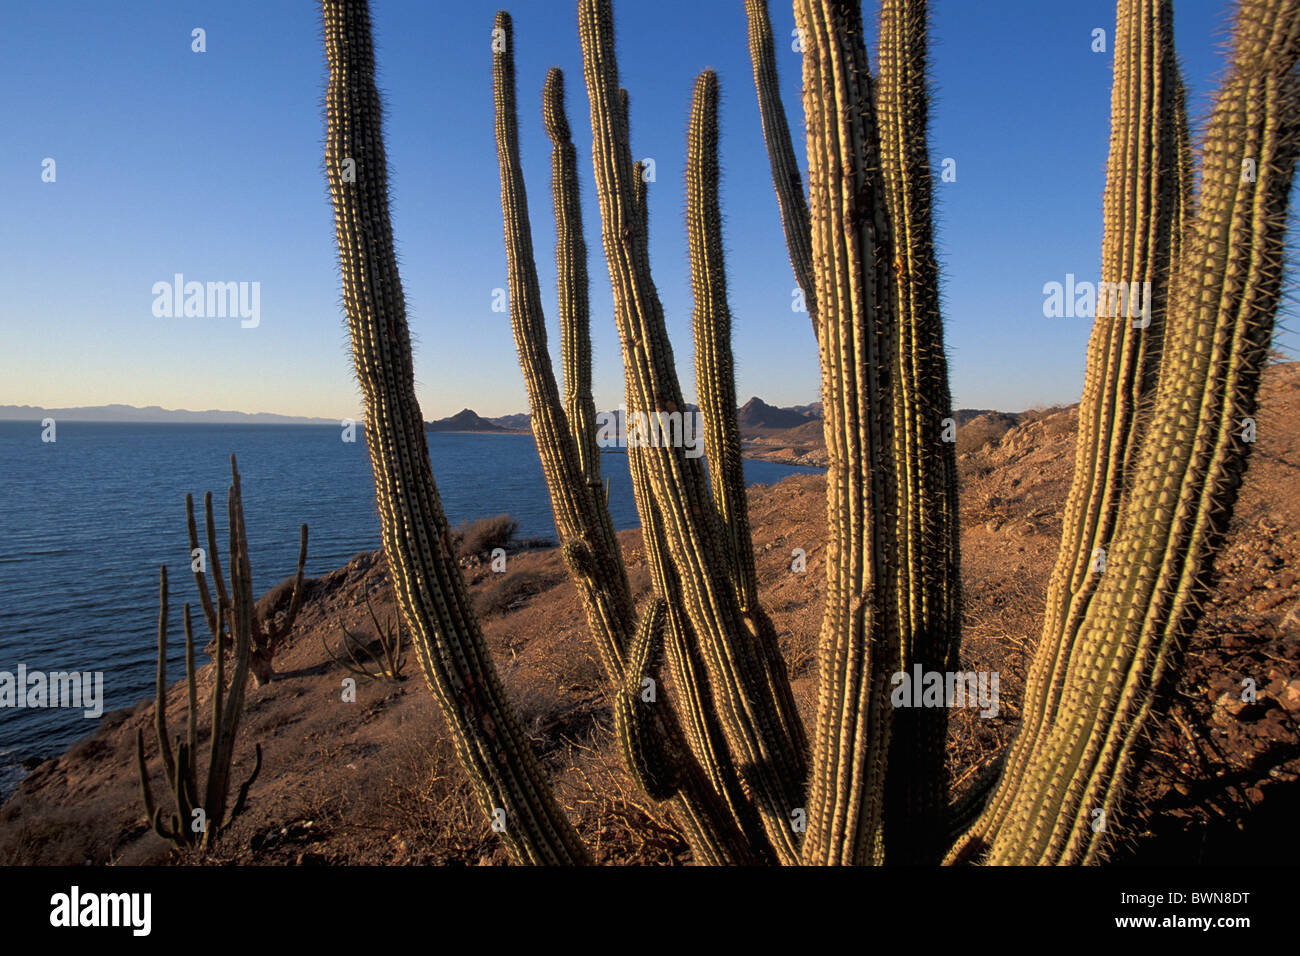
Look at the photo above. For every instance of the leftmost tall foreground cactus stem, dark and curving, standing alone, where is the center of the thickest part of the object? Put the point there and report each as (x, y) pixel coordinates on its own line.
(431, 590)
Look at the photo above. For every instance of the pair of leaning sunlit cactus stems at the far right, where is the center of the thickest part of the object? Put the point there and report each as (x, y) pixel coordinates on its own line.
(1171, 417)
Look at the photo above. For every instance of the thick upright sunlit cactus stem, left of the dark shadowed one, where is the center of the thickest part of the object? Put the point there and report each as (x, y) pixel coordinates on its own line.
(857, 332)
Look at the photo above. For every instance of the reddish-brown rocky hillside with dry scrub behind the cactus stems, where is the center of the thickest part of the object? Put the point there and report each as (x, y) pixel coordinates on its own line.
(378, 782)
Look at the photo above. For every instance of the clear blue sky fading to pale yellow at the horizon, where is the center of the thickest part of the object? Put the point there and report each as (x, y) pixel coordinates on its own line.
(211, 166)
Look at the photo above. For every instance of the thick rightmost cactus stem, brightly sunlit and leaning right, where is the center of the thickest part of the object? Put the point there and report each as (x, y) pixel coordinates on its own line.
(1111, 680)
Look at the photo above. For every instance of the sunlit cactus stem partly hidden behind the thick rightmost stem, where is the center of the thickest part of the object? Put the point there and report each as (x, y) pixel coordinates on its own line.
(1146, 206)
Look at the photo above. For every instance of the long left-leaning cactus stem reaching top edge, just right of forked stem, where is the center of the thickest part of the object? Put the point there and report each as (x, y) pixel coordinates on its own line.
(753, 702)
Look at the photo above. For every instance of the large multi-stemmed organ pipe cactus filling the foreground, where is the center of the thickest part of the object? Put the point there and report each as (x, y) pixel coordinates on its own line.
(1156, 473)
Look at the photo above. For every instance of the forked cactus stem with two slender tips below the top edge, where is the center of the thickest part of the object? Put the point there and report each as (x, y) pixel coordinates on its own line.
(655, 746)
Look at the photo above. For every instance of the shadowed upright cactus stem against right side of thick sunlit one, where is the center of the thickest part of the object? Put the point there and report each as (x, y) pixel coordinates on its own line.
(928, 547)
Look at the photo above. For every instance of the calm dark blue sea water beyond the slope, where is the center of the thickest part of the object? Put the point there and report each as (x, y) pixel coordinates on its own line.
(86, 521)
